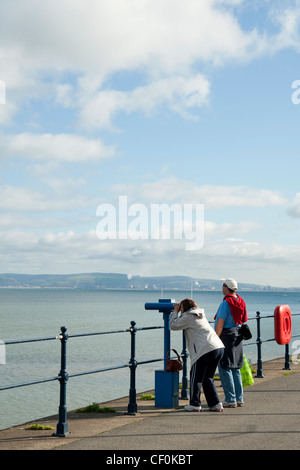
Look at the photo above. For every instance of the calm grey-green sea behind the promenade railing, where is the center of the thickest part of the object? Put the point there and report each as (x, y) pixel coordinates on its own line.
(38, 313)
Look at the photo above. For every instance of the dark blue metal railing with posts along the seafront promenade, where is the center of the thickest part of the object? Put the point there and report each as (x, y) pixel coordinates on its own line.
(132, 409)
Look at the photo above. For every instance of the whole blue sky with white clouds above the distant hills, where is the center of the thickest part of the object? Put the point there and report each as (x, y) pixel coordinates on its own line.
(194, 103)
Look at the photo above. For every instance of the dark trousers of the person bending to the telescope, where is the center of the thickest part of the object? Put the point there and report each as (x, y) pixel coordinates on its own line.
(201, 376)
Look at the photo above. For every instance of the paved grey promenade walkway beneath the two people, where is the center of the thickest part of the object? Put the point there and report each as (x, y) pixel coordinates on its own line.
(269, 420)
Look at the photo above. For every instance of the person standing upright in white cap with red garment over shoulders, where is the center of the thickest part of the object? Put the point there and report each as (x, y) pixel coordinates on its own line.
(231, 313)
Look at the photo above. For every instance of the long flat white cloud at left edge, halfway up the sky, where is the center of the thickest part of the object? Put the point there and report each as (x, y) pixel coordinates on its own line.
(58, 147)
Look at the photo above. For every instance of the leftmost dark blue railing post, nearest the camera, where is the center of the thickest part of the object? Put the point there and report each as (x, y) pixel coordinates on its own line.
(62, 425)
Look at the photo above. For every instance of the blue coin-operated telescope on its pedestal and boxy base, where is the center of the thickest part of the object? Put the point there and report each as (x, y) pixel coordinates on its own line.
(166, 383)
